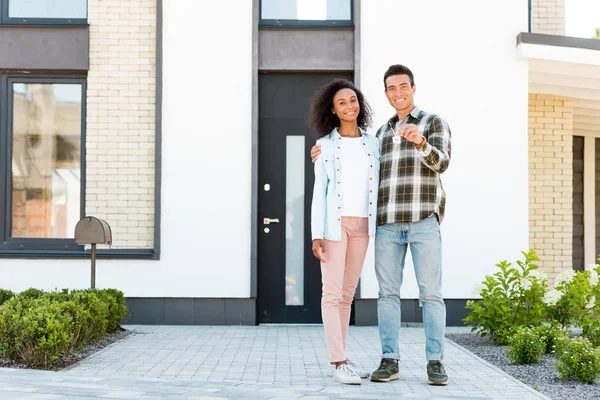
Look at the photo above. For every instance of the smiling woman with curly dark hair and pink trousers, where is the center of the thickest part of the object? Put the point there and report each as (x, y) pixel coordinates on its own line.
(343, 209)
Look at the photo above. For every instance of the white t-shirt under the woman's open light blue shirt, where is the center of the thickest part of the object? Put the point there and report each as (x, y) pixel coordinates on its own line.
(354, 165)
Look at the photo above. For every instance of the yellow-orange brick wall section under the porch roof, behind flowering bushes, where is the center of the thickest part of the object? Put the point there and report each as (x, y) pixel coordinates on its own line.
(551, 181)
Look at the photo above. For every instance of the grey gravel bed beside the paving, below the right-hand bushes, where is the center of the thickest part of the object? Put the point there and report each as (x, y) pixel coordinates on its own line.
(542, 377)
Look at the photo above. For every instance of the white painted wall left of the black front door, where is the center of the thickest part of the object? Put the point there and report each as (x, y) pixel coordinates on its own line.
(206, 181)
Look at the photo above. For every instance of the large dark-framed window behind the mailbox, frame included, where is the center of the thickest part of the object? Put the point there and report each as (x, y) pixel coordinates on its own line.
(42, 180)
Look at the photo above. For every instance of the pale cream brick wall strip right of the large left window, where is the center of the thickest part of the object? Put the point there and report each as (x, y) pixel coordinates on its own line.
(120, 128)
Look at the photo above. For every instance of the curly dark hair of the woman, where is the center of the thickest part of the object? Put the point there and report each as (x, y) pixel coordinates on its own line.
(322, 120)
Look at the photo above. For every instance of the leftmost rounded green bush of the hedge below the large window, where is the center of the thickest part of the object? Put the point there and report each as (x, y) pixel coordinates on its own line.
(34, 331)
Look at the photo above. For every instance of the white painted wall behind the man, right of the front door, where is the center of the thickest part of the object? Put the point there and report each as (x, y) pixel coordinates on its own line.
(464, 58)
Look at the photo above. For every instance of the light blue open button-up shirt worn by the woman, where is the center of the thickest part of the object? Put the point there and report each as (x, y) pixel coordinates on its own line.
(326, 219)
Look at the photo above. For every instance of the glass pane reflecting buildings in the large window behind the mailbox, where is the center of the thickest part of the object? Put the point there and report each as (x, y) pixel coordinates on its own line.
(46, 159)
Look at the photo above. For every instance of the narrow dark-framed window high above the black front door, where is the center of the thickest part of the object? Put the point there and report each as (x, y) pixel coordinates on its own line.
(306, 13)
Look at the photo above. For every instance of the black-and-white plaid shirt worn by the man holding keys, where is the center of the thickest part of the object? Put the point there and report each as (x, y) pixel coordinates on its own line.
(410, 188)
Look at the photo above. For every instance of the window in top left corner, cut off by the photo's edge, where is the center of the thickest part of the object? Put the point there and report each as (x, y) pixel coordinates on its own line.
(43, 11)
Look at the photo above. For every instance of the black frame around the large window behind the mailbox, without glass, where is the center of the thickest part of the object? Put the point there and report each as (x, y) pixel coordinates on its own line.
(8, 243)
